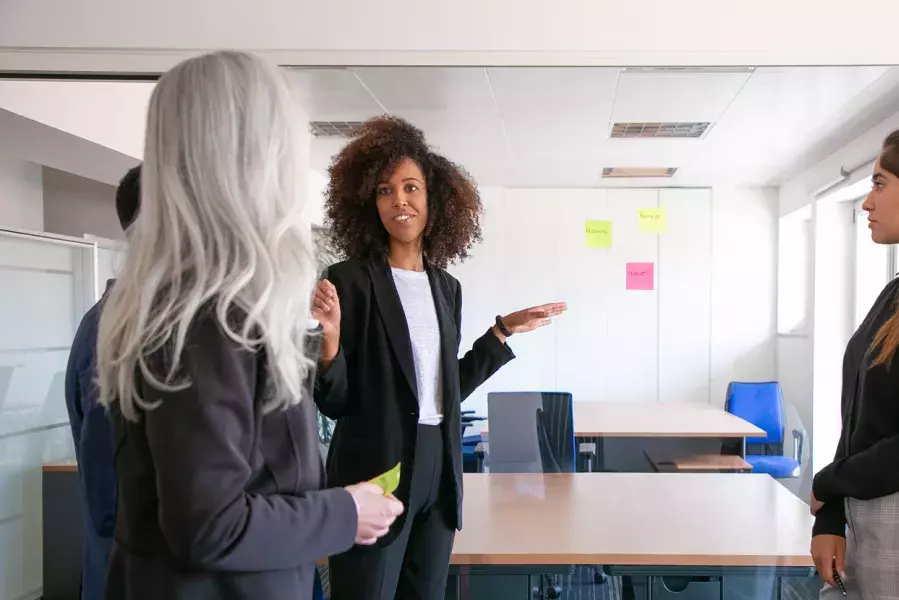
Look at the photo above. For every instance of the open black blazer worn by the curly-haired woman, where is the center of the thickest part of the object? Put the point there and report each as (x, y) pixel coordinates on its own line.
(370, 388)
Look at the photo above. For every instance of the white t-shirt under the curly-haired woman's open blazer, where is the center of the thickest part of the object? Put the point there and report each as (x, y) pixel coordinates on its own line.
(424, 332)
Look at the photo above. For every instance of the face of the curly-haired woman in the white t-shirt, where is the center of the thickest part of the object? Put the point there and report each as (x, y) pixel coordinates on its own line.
(403, 203)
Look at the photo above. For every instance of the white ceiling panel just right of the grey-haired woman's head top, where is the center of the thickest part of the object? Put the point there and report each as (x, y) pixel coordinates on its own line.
(332, 95)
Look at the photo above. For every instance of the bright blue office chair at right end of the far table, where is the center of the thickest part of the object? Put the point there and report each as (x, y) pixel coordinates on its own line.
(761, 404)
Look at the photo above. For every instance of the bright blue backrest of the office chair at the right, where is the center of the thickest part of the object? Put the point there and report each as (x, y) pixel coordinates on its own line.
(760, 403)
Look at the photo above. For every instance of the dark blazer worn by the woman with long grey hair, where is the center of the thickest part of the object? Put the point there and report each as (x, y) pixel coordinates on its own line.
(217, 500)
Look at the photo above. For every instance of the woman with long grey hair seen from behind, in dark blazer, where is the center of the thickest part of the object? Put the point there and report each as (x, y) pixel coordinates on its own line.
(201, 355)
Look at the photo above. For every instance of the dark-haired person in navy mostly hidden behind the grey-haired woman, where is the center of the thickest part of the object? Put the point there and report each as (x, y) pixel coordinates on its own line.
(91, 429)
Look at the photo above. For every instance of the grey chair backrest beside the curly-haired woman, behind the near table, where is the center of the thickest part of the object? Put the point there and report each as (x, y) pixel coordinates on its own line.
(531, 432)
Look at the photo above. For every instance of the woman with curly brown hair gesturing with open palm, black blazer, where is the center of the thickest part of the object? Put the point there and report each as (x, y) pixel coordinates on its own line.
(389, 369)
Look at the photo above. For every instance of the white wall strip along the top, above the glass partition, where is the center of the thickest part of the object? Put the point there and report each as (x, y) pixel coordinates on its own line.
(765, 32)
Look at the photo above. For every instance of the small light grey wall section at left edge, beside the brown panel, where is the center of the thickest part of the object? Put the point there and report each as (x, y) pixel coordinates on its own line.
(21, 193)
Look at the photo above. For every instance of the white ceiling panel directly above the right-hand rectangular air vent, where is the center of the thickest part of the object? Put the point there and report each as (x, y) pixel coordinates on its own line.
(674, 97)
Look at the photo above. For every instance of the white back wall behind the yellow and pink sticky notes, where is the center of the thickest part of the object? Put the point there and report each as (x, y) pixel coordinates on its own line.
(710, 319)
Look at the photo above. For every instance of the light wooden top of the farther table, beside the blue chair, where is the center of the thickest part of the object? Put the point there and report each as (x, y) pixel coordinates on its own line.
(657, 419)
